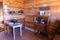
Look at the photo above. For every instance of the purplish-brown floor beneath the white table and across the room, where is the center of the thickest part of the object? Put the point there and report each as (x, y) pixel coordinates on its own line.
(27, 35)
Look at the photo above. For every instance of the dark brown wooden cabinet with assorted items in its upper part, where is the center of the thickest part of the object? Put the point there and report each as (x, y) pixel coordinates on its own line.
(40, 26)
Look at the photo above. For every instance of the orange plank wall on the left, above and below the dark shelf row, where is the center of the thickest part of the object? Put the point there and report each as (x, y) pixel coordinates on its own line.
(14, 5)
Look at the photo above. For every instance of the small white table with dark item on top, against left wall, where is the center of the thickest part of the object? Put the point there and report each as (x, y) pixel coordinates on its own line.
(10, 24)
